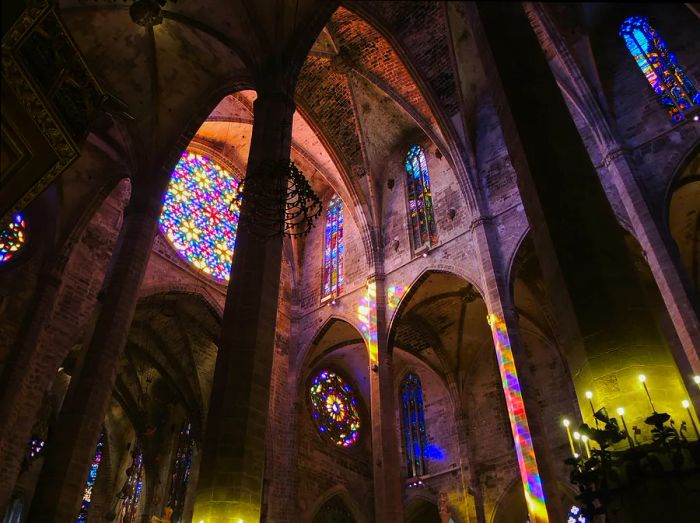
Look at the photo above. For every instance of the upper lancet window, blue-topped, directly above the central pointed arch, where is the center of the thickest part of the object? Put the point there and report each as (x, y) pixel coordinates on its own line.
(420, 203)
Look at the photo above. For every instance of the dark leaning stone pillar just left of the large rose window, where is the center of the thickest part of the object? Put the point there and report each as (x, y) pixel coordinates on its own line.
(72, 443)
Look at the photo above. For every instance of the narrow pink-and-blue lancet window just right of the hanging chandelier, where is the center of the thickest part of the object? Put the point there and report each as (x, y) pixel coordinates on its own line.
(334, 250)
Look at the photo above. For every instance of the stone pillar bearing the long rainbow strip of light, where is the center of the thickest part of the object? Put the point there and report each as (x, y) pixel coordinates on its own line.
(533, 449)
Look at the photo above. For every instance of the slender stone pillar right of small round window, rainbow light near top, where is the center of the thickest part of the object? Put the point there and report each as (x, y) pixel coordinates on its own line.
(385, 440)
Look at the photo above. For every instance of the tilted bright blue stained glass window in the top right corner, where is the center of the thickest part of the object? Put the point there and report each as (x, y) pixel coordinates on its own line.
(675, 90)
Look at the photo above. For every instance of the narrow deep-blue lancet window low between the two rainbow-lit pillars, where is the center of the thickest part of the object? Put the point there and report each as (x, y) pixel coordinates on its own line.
(413, 420)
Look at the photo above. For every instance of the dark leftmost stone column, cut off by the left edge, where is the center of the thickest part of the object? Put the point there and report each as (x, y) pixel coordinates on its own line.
(24, 382)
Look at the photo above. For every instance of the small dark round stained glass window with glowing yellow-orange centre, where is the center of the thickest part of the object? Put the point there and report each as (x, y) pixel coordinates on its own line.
(334, 409)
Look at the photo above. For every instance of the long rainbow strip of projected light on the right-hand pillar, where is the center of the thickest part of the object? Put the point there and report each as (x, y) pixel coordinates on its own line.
(518, 421)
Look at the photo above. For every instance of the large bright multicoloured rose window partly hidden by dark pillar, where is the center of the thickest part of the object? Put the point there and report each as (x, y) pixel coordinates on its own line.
(200, 214)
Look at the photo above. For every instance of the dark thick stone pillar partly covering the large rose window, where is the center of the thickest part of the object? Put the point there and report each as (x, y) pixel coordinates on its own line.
(233, 459)
